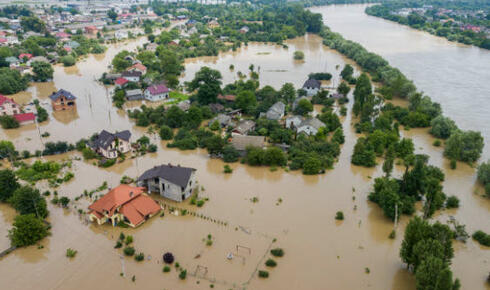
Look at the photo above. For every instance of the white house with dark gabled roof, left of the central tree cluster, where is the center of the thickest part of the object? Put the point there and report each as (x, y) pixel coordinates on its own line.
(109, 145)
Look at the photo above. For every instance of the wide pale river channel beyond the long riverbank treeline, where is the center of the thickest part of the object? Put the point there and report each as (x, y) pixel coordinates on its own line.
(455, 75)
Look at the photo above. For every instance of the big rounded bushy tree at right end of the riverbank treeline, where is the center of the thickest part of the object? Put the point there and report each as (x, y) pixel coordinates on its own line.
(464, 146)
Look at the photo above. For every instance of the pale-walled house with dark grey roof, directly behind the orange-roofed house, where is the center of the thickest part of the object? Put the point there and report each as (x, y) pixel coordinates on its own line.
(173, 182)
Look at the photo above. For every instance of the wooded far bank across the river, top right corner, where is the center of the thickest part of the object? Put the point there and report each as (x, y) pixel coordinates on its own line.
(443, 25)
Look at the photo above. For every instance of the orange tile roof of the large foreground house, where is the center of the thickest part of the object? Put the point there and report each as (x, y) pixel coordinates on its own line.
(132, 203)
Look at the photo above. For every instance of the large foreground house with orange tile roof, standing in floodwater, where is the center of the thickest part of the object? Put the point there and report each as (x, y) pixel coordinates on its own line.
(125, 203)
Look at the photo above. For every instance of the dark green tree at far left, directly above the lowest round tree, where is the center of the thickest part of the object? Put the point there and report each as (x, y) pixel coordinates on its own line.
(27, 200)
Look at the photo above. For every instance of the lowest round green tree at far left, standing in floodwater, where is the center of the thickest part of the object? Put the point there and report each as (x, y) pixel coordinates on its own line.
(27, 230)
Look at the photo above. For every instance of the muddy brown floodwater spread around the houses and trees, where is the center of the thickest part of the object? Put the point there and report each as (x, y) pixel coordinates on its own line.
(321, 253)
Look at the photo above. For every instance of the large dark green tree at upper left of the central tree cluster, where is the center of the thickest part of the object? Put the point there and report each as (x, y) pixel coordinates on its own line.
(207, 82)
